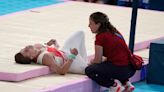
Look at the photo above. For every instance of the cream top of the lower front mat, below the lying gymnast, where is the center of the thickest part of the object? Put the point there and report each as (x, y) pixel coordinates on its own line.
(40, 83)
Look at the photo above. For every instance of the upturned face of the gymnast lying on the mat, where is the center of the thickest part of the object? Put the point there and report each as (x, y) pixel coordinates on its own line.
(29, 51)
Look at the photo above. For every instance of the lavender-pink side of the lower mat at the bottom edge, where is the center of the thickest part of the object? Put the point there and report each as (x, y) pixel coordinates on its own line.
(82, 85)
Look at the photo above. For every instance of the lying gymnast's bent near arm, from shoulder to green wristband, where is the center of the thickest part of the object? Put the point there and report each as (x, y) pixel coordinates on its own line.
(49, 60)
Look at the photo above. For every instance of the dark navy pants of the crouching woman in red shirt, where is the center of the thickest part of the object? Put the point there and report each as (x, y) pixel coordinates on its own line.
(104, 73)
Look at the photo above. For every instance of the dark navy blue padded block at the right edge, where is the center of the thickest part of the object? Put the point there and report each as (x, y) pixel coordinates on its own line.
(155, 70)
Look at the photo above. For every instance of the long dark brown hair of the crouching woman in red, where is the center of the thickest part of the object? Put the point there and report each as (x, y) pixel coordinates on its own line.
(105, 25)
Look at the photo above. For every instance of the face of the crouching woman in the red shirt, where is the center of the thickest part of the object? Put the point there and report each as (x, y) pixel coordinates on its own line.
(93, 26)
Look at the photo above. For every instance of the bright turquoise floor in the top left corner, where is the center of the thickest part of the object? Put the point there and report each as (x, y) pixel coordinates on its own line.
(10, 6)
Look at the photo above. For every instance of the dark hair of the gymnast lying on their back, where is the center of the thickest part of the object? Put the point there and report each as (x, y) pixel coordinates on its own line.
(19, 58)
